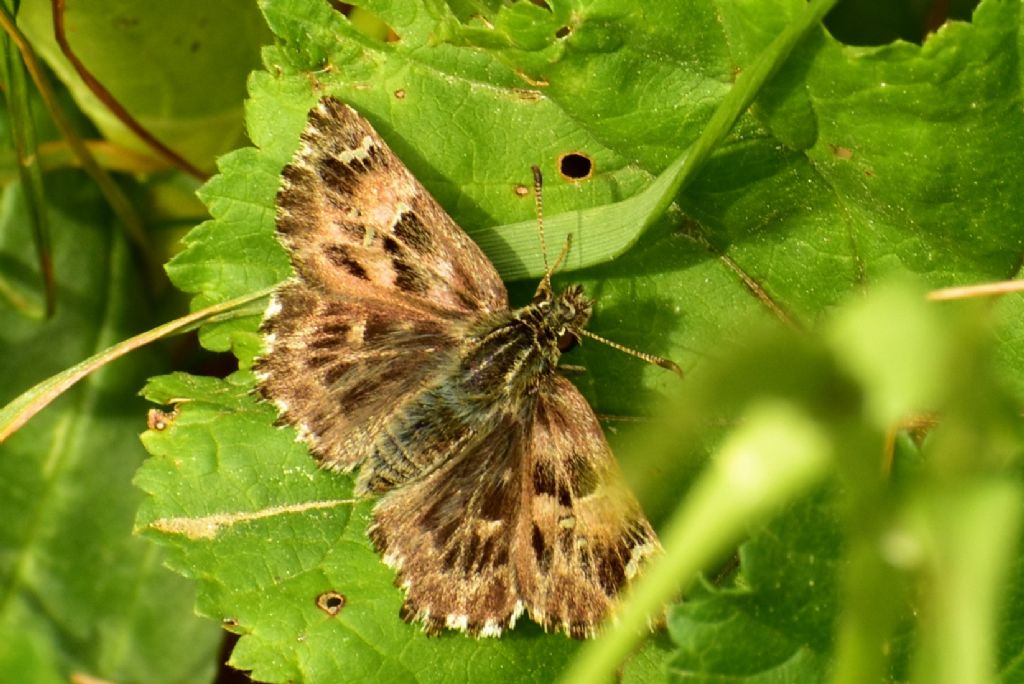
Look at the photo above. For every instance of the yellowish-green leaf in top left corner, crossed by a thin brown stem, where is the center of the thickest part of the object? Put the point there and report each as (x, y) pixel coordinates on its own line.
(180, 69)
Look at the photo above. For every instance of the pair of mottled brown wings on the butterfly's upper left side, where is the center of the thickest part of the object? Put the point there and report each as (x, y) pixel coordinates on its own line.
(387, 284)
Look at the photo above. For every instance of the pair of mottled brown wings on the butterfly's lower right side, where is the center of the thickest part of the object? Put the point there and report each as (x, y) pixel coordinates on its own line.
(533, 516)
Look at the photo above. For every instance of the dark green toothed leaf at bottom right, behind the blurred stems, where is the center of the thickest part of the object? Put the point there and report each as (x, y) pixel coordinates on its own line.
(777, 627)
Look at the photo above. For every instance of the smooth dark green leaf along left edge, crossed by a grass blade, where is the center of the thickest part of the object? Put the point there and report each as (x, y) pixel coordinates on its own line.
(78, 594)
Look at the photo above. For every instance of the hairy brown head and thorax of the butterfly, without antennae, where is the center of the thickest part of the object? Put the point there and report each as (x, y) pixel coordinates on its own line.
(511, 354)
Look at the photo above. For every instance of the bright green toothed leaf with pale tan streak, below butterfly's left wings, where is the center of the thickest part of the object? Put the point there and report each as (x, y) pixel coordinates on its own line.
(246, 511)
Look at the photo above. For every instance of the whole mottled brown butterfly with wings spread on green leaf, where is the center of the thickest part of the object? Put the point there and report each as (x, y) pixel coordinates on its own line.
(395, 351)
